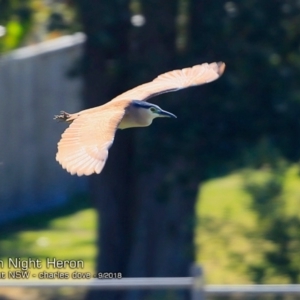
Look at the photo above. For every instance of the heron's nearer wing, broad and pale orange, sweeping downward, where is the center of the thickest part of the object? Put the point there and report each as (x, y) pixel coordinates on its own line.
(83, 148)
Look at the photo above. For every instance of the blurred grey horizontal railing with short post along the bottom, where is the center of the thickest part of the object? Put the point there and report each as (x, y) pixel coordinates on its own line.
(194, 283)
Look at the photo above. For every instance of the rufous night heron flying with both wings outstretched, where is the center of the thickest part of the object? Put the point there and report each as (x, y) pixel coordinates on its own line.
(83, 148)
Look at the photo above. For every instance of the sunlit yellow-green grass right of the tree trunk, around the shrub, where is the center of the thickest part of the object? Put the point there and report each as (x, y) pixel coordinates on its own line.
(225, 236)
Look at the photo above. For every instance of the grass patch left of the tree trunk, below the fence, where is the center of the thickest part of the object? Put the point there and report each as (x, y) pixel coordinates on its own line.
(67, 233)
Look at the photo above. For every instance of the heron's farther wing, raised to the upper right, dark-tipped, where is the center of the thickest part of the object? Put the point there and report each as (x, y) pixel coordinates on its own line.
(174, 81)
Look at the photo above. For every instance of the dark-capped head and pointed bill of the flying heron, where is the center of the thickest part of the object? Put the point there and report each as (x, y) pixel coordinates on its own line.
(151, 111)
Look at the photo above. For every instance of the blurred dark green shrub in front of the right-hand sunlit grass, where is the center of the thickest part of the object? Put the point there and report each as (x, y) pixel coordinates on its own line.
(276, 225)
